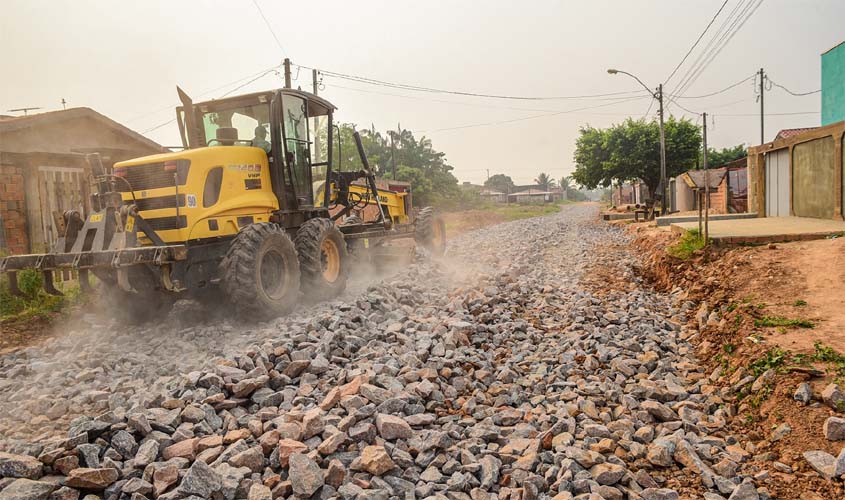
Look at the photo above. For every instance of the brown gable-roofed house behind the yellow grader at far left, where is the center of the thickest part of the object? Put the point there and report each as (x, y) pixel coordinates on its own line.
(43, 171)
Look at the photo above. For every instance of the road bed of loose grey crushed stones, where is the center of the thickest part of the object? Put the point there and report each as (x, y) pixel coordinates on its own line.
(497, 372)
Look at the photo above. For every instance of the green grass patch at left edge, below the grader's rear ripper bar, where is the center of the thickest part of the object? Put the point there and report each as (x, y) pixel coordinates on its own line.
(35, 303)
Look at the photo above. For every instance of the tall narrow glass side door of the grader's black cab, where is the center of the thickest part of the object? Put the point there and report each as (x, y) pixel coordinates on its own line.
(296, 146)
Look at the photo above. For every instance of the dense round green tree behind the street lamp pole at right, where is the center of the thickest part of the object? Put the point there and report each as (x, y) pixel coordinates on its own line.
(631, 150)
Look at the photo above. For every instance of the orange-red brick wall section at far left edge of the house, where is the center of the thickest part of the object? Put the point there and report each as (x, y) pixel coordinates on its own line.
(13, 210)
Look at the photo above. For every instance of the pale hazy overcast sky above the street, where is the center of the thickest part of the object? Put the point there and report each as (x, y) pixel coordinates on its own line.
(124, 59)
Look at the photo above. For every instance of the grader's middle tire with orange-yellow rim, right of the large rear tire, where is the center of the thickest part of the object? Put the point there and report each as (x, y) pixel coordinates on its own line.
(323, 259)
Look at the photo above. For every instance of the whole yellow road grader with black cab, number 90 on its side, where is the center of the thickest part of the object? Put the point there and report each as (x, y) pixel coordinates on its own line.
(249, 210)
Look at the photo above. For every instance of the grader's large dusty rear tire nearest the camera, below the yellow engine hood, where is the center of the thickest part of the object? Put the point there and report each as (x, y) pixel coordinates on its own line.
(261, 272)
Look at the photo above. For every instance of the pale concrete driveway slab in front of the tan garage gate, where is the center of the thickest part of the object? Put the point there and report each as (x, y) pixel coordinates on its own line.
(767, 229)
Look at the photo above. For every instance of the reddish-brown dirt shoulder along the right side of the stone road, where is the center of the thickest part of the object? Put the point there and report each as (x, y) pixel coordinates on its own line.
(768, 319)
